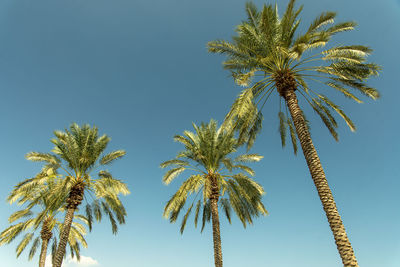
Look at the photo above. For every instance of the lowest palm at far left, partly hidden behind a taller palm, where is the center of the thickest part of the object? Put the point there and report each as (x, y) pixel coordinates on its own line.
(42, 196)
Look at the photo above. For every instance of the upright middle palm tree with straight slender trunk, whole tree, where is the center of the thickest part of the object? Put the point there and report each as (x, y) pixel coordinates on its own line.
(207, 154)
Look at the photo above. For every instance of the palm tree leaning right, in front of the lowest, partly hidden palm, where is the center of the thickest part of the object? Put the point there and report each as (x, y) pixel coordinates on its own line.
(77, 153)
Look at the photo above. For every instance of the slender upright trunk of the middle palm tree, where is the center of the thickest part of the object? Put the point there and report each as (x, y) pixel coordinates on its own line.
(215, 222)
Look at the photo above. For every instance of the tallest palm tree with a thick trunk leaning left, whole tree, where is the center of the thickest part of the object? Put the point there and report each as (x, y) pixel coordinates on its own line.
(267, 46)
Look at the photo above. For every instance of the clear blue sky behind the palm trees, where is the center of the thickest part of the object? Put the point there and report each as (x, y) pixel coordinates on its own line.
(140, 71)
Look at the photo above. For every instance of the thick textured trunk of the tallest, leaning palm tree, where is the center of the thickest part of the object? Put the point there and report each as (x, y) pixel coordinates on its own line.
(317, 173)
